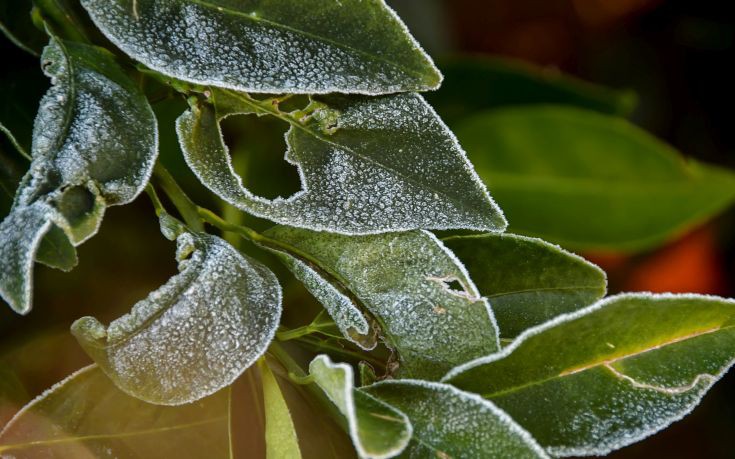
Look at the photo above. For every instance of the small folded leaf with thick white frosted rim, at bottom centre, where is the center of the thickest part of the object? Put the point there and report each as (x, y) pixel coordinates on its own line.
(377, 430)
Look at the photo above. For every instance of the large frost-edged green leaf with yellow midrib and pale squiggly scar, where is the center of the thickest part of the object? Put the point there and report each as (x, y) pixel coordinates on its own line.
(609, 375)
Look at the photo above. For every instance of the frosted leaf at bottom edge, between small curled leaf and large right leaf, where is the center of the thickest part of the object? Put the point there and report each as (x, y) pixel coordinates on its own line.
(448, 422)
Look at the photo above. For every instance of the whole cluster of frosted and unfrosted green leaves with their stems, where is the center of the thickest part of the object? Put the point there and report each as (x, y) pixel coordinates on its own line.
(501, 345)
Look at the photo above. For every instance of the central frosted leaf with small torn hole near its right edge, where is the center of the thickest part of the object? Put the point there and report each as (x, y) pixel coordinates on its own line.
(402, 280)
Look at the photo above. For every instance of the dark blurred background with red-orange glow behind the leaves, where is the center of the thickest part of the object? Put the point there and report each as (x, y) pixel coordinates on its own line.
(676, 56)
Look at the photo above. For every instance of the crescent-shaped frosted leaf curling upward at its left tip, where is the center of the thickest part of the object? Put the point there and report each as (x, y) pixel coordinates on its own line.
(194, 335)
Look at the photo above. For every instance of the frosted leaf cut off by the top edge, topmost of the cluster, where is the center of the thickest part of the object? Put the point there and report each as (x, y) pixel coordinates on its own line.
(296, 46)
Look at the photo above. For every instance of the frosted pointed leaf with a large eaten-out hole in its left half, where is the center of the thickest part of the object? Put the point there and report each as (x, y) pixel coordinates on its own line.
(383, 164)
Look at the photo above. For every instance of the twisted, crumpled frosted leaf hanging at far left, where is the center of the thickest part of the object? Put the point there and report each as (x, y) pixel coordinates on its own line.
(94, 145)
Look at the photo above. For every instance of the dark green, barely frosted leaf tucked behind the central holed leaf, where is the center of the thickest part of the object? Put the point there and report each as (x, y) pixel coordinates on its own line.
(527, 281)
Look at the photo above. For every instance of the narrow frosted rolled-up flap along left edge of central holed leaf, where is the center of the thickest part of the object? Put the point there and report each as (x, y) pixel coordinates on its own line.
(346, 316)
